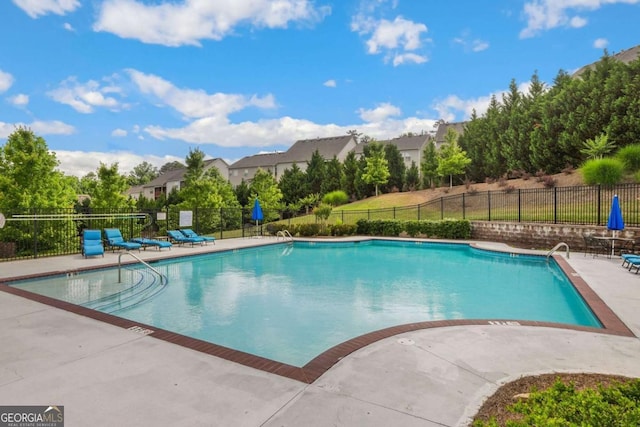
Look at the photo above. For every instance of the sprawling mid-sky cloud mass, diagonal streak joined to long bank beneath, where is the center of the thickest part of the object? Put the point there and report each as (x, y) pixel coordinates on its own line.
(208, 121)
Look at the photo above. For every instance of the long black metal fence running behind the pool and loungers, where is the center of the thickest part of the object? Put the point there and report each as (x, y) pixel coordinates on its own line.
(47, 232)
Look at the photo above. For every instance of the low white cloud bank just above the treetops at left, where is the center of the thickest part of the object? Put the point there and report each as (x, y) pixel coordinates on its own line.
(80, 163)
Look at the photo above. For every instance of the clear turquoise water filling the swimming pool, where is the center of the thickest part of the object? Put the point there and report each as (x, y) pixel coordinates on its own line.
(292, 302)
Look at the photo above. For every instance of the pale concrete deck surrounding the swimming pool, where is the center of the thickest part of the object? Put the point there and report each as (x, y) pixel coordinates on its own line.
(107, 375)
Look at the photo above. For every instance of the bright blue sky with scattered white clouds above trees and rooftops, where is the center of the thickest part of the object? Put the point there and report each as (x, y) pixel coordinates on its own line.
(129, 81)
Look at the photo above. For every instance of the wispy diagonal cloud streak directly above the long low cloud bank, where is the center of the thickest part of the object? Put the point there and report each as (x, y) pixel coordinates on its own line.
(197, 103)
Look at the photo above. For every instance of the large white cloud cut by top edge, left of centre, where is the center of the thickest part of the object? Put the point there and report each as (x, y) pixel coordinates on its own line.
(188, 22)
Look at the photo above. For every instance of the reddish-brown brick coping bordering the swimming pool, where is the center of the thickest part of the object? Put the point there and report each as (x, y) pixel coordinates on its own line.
(310, 372)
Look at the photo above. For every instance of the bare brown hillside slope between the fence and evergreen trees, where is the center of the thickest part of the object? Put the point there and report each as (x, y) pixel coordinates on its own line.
(418, 197)
